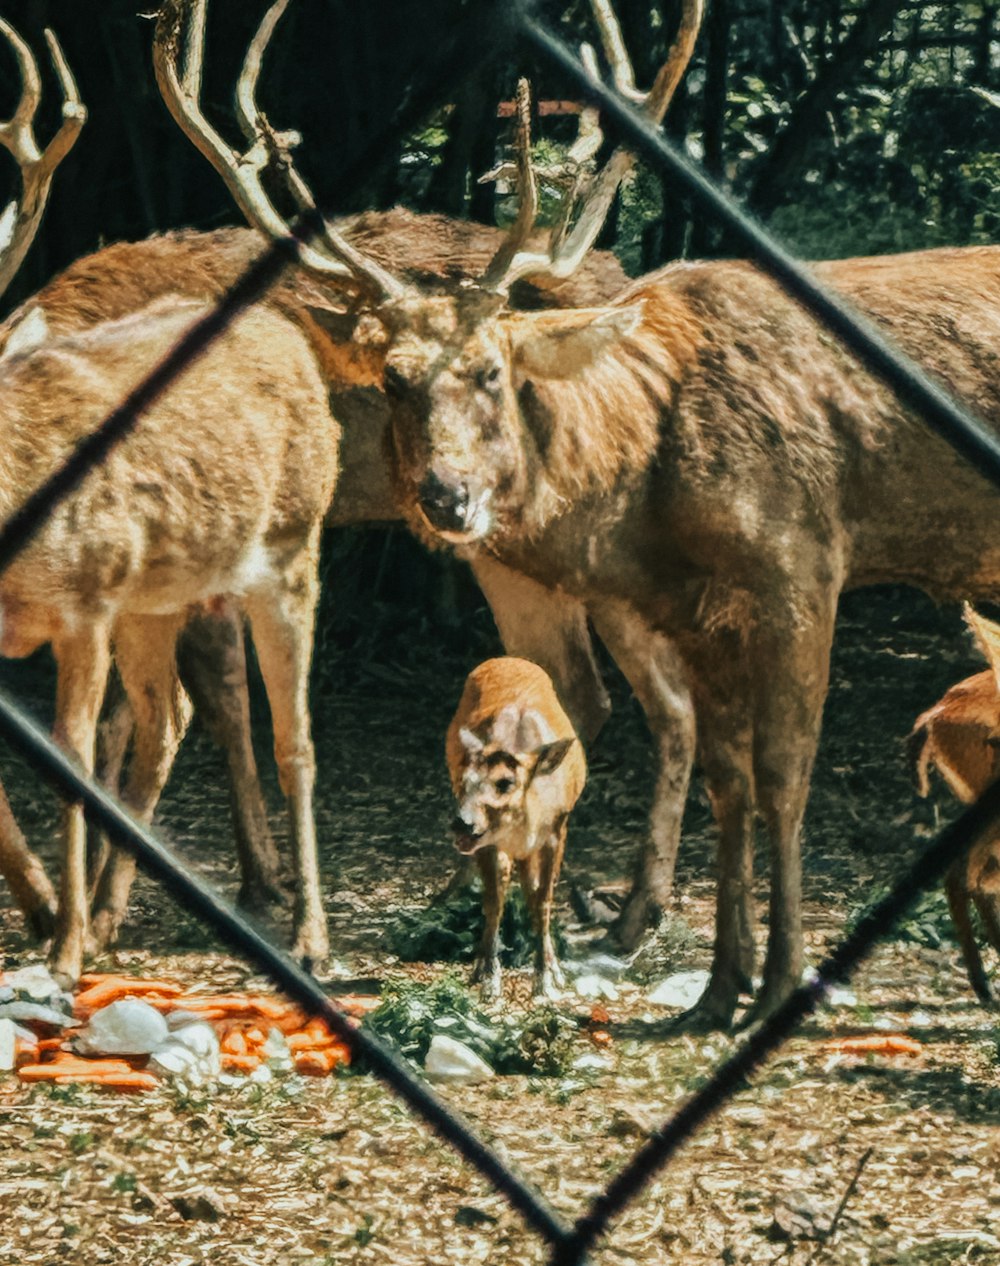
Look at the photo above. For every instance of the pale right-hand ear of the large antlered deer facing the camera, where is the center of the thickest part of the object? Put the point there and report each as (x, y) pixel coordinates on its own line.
(563, 345)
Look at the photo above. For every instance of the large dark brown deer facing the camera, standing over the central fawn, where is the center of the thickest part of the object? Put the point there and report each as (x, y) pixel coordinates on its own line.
(704, 461)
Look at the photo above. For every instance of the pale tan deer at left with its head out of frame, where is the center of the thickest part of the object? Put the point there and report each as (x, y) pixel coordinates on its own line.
(221, 491)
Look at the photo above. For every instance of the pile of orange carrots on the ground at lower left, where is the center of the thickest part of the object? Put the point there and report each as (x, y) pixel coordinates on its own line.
(242, 1022)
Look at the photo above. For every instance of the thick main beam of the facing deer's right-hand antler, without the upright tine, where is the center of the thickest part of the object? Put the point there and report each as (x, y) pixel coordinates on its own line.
(568, 248)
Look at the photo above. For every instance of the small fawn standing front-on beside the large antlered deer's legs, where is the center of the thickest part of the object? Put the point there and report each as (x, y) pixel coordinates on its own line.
(517, 770)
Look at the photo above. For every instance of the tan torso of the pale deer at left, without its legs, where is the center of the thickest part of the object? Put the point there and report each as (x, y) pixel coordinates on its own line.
(225, 475)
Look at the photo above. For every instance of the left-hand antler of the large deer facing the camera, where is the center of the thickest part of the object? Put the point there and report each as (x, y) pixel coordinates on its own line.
(183, 23)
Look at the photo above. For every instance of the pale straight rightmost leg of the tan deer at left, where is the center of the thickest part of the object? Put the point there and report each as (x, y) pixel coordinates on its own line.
(283, 626)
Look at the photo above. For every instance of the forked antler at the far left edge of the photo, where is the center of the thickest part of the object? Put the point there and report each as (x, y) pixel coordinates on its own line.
(22, 217)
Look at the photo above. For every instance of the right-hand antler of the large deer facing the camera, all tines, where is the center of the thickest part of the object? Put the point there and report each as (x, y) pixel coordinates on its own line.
(568, 246)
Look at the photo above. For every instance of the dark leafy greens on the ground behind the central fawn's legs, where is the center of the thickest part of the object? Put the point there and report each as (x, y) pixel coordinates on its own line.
(451, 931)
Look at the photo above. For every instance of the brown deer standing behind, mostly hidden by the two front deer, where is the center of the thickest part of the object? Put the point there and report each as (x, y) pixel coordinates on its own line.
(123, 279)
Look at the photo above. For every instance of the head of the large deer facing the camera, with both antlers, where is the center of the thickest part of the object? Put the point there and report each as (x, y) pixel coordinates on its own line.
(466, 375)
